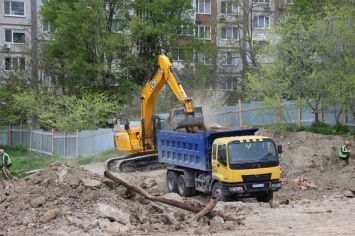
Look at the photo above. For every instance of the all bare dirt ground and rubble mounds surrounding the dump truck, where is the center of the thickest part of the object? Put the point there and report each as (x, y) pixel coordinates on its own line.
(65, 199)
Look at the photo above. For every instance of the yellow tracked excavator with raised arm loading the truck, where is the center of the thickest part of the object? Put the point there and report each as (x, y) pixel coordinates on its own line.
(141, 141)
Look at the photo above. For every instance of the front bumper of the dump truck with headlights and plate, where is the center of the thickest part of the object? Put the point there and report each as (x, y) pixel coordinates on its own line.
(250, 189)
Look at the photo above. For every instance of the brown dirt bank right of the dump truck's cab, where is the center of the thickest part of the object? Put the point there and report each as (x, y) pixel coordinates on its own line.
(314, 158)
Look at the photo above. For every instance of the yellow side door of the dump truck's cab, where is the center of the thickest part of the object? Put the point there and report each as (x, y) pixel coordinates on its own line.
(219, 162)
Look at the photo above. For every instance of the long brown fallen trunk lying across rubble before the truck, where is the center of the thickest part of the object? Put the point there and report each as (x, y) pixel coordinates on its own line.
(172, 202)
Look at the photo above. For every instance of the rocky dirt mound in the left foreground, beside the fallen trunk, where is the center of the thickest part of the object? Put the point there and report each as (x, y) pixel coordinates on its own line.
(65, 199)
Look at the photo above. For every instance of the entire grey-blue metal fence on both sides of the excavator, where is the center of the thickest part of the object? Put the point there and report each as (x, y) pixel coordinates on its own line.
(88, 142)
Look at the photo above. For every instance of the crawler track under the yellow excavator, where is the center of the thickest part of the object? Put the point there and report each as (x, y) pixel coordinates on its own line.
(134, 162)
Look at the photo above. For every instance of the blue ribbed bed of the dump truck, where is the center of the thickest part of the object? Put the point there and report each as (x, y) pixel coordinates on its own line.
(191, 150)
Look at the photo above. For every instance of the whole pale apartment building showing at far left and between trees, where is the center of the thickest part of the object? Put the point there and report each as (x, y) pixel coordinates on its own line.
(230, 25)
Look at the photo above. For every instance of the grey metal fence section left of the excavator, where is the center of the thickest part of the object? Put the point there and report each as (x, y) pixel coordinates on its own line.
(64, 144)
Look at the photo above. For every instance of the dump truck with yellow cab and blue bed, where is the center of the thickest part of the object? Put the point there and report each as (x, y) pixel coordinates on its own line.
(229, 164)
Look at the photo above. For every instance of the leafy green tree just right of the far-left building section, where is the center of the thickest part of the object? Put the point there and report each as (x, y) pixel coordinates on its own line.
(82, 48)
